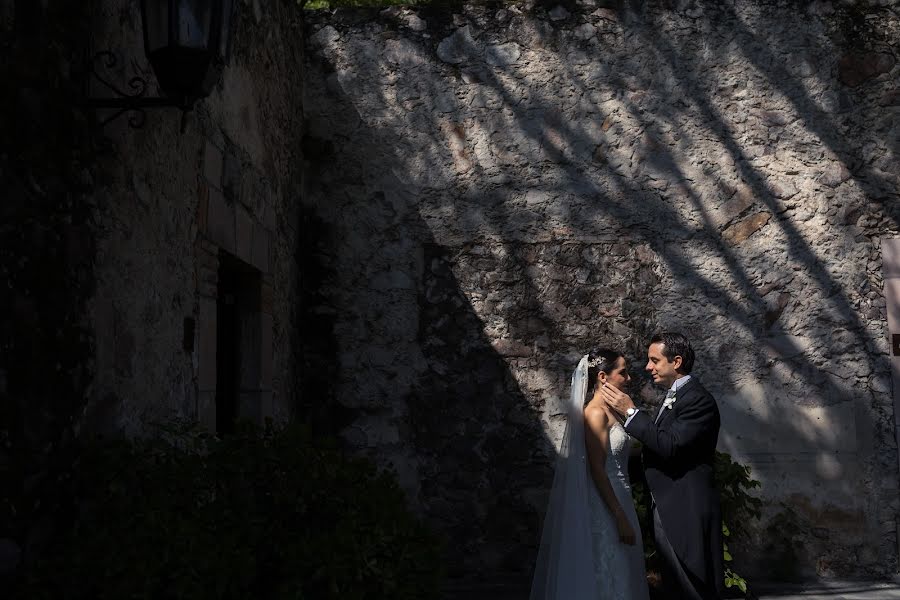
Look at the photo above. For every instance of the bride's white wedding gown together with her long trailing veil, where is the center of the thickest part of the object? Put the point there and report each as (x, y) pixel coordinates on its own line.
(581, 557)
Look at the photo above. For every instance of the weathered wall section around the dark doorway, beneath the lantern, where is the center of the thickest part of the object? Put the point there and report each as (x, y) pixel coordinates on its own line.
(172, 205)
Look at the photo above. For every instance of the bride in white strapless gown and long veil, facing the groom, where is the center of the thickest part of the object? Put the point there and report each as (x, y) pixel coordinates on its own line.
(591, 545)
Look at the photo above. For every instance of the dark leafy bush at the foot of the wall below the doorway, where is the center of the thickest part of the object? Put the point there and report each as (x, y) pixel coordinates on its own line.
(269, 514)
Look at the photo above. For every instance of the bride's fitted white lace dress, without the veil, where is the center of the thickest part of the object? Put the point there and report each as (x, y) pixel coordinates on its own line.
(619, 568)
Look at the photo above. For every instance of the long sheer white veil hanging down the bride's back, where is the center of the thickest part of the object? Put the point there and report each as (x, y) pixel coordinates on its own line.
(565, 563)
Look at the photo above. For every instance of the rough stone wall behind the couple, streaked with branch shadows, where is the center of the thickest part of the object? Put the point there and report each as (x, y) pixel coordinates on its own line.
(501, 188)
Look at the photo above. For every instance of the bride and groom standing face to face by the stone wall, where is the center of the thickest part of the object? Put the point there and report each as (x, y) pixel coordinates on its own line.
(591, 543)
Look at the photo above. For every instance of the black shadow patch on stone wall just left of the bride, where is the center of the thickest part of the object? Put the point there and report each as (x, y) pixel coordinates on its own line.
(472, 432)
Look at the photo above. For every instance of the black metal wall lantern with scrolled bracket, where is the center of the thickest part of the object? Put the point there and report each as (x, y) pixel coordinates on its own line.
(187, 43)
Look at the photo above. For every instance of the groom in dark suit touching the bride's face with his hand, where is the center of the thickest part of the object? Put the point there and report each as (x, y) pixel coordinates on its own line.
(679, 444)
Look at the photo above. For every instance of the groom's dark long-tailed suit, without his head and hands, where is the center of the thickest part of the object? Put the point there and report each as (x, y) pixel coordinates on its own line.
(678, 453)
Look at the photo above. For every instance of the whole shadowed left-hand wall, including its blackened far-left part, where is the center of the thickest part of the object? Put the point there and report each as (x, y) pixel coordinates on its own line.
(112, 240)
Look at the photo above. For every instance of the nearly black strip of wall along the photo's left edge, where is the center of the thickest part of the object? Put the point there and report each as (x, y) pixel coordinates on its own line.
(47, 252)
